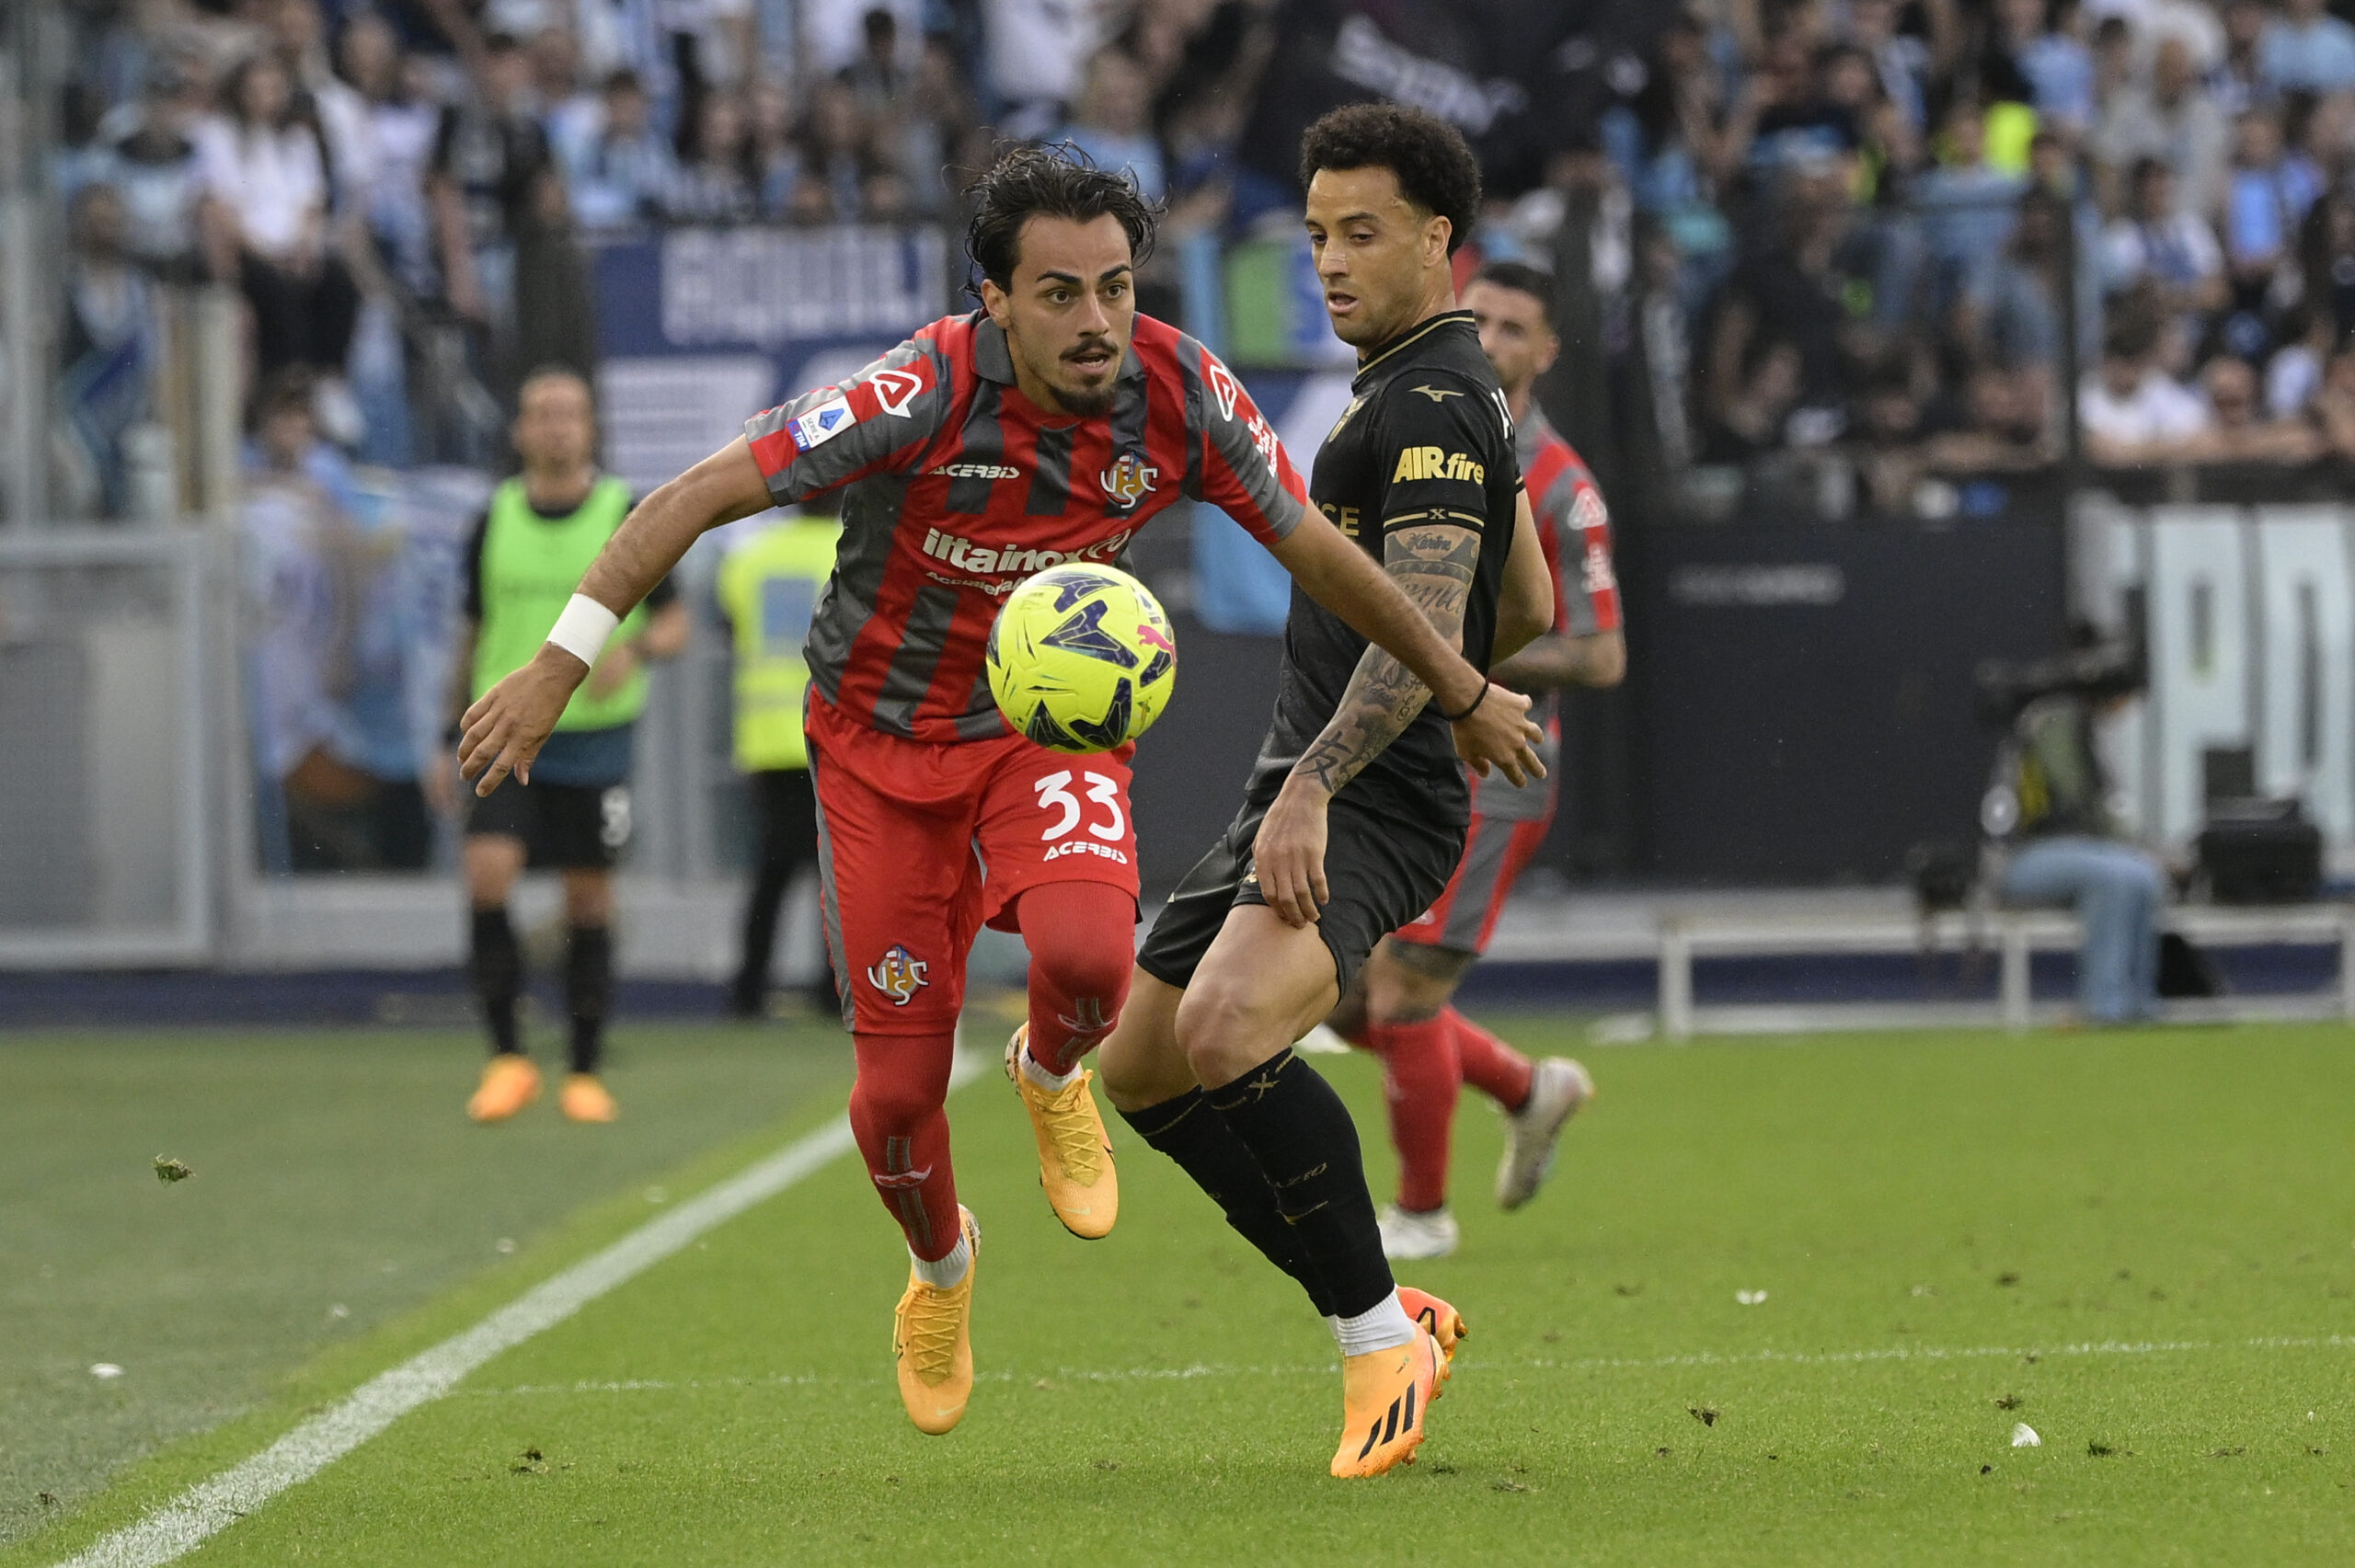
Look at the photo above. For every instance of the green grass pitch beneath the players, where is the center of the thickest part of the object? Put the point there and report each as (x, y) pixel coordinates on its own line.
(2137, 1244)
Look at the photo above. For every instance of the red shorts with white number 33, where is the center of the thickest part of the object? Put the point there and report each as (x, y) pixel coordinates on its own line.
(922, 844)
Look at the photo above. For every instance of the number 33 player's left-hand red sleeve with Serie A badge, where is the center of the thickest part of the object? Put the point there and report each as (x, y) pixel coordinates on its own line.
(873, 423)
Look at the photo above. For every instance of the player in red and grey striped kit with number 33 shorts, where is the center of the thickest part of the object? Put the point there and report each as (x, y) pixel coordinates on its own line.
(1040, 430)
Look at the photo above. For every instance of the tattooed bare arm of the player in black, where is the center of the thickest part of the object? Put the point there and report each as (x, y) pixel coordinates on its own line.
(1431, 566)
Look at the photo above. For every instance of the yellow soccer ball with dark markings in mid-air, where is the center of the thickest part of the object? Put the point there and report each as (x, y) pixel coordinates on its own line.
(1082, 658)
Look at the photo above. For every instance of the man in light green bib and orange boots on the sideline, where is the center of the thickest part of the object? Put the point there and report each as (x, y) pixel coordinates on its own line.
(529, 552)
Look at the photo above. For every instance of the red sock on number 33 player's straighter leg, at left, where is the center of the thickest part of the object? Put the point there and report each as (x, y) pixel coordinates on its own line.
(898, 1112)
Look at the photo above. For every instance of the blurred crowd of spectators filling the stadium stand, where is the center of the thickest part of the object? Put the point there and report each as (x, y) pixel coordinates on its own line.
(1888, 230)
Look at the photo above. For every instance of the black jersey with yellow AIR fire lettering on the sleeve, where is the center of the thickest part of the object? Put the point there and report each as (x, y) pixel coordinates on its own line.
(1426, 439)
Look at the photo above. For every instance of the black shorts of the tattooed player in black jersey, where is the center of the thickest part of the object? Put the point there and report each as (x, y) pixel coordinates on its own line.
(1384, 868)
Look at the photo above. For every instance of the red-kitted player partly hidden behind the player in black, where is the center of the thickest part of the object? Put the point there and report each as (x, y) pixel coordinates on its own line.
(1402, 1006)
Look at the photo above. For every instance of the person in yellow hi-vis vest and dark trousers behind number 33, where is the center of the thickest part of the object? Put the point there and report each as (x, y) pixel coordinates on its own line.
(769, 592)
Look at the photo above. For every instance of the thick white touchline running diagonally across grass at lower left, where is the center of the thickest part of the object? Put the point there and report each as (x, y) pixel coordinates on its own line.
(213, 1506)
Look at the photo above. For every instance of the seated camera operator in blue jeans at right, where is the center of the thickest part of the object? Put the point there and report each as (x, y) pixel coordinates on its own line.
(2052, 837)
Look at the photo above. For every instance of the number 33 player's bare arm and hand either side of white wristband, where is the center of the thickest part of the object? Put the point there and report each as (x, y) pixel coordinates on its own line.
(508, 726)
